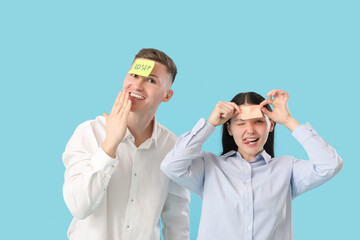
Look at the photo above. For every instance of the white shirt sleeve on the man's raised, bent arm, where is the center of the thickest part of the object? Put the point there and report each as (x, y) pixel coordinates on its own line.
(88, 172)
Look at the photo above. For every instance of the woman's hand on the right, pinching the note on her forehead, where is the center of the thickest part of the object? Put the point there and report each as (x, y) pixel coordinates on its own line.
(280, 114)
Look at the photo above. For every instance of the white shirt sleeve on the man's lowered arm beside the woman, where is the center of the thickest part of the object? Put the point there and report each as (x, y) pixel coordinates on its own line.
(175, 214)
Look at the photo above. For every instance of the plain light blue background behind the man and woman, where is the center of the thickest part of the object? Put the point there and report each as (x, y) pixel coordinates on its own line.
(63, 62)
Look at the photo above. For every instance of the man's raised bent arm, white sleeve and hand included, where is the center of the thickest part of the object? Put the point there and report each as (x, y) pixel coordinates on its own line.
(88, 166)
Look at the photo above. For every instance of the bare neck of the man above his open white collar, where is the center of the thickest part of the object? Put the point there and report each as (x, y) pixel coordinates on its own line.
(141, 126)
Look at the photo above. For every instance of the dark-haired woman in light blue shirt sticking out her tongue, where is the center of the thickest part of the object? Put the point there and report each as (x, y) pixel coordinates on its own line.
(247, 191)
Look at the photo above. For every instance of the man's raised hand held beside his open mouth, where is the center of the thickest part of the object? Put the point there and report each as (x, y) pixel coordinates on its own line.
(116, 123)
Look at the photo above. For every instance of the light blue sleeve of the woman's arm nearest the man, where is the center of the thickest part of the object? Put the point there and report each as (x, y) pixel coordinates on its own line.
(184, 164)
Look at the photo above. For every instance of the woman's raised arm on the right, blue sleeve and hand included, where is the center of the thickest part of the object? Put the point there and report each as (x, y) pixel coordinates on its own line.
(324, 161)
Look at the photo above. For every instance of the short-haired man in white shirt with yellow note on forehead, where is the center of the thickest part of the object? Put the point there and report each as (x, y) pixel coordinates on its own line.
(113, 184)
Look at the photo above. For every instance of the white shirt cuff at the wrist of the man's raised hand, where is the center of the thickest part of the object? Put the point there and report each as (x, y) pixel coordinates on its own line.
(102, 162)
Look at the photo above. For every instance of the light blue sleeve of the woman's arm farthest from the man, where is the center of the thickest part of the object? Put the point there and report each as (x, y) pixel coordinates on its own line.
(324, 162)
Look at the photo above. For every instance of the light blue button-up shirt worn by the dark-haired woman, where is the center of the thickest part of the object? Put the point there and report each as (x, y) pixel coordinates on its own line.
(243, 200)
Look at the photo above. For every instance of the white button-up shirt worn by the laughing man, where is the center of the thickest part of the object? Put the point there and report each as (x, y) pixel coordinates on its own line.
(122, 198)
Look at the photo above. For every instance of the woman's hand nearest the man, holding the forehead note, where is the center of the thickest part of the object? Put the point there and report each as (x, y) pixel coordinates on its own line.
(222, 112)
